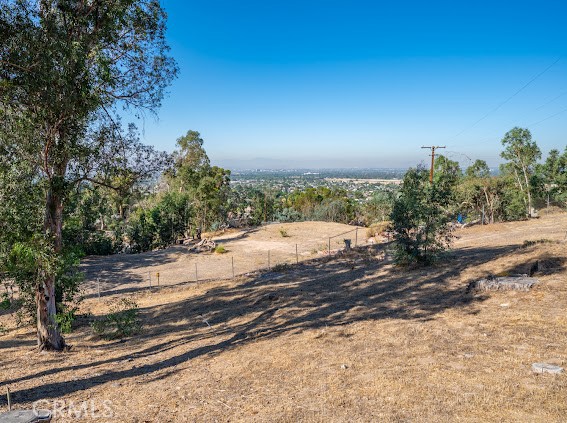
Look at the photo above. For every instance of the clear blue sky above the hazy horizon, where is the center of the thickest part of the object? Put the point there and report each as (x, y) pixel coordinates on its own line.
(363, 83)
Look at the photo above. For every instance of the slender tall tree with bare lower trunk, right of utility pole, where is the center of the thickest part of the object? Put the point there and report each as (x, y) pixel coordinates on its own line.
(522, 154)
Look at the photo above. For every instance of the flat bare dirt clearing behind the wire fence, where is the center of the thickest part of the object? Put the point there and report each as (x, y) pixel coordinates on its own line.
(247, 251)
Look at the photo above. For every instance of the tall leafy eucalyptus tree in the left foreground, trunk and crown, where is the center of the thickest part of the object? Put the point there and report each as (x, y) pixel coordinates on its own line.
(66, 69)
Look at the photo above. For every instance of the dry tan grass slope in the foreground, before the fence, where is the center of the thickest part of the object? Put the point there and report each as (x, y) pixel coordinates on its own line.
(350, 338)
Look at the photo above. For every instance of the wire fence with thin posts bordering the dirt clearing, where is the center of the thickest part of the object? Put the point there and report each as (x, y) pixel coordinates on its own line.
(126, 273)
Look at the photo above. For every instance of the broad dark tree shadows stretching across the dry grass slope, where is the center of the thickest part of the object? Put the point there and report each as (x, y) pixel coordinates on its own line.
(320, 294)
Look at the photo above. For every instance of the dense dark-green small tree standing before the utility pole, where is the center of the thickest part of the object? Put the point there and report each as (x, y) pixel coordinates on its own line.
(420, 218)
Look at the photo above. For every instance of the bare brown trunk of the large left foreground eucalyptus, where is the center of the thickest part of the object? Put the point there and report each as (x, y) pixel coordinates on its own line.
(48, 334)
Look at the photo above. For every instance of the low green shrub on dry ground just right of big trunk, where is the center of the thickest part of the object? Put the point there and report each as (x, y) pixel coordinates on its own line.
(121, 322)
